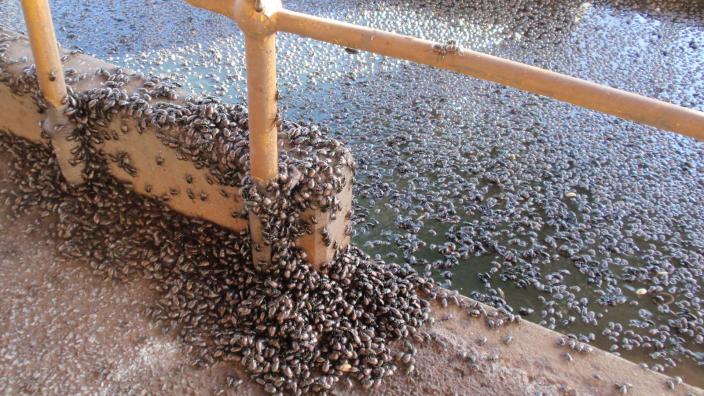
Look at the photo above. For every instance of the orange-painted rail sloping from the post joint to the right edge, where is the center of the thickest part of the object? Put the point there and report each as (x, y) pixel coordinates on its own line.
(573, 90)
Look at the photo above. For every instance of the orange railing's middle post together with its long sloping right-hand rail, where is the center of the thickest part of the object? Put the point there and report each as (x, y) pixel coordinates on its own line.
(261, 19)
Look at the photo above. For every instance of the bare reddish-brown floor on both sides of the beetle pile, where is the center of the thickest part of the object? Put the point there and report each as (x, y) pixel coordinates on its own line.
(64, 331)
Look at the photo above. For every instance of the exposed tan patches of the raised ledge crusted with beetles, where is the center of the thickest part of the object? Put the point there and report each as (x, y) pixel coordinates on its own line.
(157, 169)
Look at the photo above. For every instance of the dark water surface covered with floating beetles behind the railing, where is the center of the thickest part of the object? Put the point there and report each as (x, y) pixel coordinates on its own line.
(502, 189)
